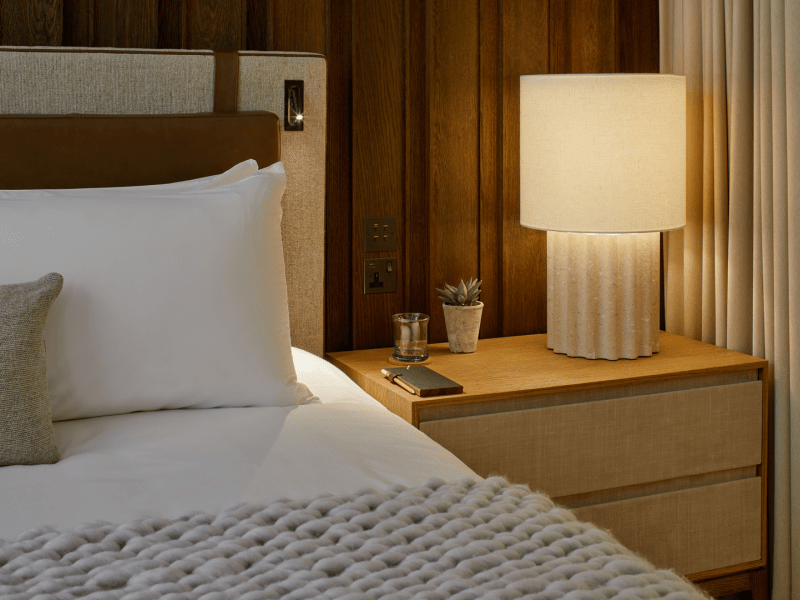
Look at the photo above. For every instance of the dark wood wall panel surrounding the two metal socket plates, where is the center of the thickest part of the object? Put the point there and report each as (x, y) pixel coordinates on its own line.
(378, 167)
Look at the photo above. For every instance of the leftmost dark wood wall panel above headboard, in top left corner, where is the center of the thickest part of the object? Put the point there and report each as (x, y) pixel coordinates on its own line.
(31, 22)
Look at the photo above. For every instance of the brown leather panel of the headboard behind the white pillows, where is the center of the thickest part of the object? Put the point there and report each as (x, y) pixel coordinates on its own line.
(76, 151)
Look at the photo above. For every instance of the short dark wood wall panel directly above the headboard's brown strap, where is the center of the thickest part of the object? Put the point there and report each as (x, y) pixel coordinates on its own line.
(216, 24)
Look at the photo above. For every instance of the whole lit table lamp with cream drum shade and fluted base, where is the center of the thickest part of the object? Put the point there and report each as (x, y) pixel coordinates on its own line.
(603, 171)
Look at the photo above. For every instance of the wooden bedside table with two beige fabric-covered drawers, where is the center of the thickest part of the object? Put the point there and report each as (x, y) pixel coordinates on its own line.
(669, 452)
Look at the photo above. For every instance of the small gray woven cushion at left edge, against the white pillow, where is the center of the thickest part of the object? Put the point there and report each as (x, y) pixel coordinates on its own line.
(26, 430)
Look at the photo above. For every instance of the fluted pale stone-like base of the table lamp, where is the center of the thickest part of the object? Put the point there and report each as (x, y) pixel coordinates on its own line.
(603, 294)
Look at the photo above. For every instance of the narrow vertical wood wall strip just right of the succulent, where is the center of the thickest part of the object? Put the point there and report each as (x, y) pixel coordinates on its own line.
(491, 266)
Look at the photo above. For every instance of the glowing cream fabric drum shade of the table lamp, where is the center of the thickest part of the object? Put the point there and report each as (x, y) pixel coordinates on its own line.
(603, 153)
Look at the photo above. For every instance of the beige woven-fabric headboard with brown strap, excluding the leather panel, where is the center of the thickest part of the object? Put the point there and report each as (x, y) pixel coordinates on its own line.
(60, 81)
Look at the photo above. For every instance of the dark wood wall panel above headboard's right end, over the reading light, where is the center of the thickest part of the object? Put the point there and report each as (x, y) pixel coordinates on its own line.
(300, 25)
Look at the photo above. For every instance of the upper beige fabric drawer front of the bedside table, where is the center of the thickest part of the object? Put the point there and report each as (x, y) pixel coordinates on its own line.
(578, 448)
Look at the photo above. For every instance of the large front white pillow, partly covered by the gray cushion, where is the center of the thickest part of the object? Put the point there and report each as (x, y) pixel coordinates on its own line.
(170, 300)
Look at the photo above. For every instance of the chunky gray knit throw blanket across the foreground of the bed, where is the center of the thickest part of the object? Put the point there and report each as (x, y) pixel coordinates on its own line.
(460, 541)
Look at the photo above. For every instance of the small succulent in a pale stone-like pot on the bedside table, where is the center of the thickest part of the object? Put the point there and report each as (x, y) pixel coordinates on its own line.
(462, 315)
